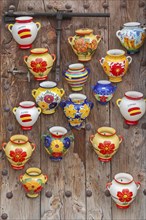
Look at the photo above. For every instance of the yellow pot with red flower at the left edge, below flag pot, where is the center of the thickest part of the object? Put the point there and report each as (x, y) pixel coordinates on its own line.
(18, 151)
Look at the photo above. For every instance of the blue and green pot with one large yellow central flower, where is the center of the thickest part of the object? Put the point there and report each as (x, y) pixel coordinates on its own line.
(57, 142)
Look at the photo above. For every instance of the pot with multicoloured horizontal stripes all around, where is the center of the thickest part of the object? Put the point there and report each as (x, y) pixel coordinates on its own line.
(76, 76)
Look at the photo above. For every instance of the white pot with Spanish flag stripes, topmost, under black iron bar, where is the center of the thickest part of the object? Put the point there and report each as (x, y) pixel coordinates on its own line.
(24, 31)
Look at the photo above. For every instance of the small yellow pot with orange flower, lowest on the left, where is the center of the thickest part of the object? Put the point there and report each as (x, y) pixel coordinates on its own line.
(33, 181)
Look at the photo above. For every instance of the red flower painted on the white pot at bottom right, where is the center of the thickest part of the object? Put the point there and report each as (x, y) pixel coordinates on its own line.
(125, 195)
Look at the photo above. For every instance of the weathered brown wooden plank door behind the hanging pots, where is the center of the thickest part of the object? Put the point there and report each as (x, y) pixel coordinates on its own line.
(76, 185)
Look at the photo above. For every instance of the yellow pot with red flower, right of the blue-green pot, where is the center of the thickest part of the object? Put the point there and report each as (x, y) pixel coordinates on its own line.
(105, 143)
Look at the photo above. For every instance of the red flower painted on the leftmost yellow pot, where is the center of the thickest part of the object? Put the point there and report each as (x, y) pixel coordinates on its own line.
(18, 155)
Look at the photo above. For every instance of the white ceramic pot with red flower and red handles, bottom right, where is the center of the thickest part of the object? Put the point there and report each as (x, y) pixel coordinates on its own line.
(123, 190)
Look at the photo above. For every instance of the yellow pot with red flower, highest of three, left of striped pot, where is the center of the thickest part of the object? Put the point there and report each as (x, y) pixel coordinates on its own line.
(40, 63)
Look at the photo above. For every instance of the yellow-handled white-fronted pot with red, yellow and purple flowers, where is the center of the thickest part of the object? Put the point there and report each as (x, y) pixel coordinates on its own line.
(48, 96)
